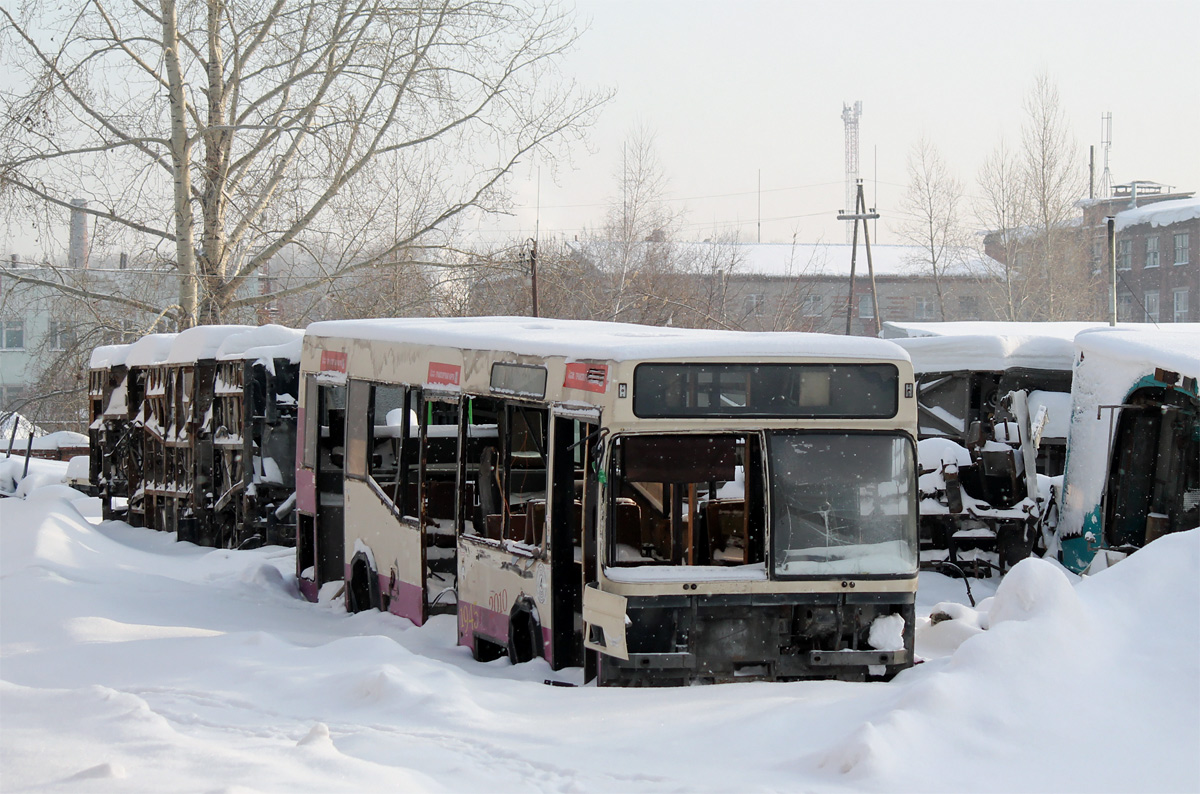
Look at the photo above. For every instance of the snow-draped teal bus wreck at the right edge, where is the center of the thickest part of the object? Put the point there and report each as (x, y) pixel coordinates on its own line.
(1133, 454)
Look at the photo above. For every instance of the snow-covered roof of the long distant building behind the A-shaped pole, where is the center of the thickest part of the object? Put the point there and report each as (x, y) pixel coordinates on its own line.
(783, 260)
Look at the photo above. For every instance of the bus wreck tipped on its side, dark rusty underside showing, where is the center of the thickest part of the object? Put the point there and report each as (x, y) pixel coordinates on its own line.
(195, 432)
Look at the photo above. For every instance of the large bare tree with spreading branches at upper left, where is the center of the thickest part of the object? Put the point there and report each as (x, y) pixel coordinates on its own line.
(225, 133)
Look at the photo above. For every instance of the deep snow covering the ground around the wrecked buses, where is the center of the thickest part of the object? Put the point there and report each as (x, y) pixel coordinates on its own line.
(135, 664)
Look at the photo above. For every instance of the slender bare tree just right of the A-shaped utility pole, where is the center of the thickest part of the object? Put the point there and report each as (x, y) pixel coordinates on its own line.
(933, 222)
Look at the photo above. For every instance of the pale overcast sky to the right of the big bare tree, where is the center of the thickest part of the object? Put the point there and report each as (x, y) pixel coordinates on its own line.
(733, 88)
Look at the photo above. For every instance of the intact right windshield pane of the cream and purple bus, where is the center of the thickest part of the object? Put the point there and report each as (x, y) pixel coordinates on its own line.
(842, 504)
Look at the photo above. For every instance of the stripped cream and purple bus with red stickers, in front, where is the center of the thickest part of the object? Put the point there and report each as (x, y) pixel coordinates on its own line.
(661, 506)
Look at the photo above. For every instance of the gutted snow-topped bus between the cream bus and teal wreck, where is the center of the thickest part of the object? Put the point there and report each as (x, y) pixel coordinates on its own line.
(993, 411)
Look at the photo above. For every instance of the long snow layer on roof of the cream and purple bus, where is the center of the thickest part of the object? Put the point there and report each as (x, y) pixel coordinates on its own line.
(603, 341)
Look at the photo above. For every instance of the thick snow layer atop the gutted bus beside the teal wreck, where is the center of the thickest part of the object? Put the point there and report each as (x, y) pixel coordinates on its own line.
(988, 347)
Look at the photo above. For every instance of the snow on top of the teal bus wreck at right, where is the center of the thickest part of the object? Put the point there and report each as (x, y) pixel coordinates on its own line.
(1175, 347)
